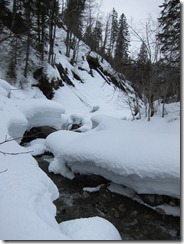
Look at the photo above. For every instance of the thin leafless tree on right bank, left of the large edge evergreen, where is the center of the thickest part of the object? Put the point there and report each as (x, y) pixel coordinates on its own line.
(144, 71)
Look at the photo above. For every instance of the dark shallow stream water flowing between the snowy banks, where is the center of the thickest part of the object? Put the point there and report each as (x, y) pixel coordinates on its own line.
(133, 220)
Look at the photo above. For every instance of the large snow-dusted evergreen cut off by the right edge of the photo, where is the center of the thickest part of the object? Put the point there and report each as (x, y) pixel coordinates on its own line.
(169, 38)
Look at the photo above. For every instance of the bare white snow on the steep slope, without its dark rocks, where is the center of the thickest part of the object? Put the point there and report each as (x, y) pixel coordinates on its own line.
(85, 95)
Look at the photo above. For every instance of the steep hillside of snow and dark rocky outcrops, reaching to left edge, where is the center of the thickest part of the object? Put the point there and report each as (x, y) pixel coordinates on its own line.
(88, 84)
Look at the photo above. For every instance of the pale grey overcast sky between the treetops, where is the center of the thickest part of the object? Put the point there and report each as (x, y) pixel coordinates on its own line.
(137, 13)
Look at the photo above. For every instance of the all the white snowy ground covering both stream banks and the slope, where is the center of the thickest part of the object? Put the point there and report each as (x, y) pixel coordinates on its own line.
(142, 155)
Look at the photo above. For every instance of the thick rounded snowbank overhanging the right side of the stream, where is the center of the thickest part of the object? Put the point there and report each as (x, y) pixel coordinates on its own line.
(140, 155)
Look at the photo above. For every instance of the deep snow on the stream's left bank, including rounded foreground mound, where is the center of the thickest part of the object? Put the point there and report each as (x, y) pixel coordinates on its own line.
(27, 193)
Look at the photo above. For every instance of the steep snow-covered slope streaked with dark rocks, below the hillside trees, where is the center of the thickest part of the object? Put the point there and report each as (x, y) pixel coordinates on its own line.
(92, 88)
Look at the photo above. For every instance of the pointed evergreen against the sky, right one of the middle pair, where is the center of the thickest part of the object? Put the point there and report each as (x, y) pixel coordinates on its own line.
(121, 57)
